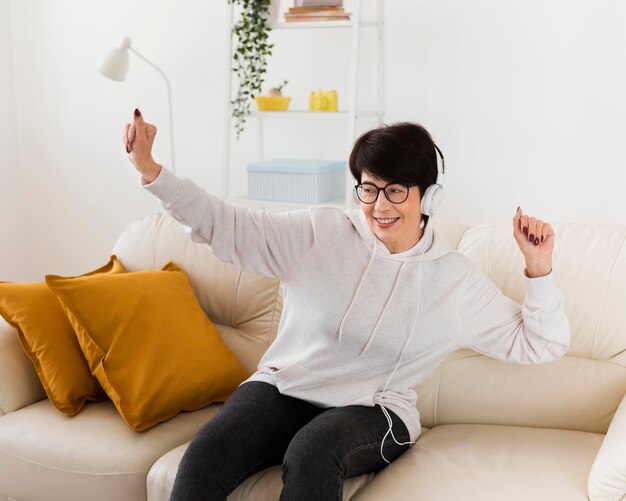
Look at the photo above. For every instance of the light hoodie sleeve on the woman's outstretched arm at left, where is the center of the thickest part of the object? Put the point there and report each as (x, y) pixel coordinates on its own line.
(257, 241)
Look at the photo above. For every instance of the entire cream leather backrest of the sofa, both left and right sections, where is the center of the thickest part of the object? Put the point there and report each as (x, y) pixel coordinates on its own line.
(580, 391)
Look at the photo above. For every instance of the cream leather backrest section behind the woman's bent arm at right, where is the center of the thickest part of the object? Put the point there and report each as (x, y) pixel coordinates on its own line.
(583, 389)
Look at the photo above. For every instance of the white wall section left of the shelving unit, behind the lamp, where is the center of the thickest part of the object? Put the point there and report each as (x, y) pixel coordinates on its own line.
(80, 190)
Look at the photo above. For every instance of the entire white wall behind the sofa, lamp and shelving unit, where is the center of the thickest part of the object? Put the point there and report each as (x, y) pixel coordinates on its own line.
(526, 100)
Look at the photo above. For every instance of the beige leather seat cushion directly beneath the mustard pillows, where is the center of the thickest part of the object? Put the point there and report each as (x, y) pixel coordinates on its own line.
(101, 459)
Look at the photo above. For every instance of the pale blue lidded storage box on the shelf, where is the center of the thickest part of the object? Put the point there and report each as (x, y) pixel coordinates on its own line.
(293, 180)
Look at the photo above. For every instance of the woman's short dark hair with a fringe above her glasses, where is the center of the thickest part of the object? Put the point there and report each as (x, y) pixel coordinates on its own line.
(402, 152)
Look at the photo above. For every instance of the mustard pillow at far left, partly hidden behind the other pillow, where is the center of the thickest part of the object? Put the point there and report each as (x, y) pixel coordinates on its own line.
(49, 340)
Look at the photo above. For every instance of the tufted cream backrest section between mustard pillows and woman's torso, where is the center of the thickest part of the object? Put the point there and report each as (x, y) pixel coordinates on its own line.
(245, 307)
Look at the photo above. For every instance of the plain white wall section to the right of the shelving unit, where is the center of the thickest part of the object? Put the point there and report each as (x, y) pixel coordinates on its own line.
(527, 100)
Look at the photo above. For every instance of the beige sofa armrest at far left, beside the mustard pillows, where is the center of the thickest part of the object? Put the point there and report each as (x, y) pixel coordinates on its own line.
(19, 384)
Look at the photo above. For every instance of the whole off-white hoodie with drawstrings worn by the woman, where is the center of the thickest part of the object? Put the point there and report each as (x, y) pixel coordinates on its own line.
(351, 307)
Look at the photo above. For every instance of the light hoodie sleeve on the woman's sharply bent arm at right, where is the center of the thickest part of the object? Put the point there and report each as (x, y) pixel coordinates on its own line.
(495, 325)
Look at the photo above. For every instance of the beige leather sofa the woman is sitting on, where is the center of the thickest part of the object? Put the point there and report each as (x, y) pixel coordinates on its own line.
(492, 431)
